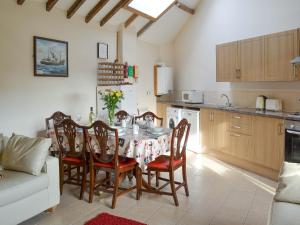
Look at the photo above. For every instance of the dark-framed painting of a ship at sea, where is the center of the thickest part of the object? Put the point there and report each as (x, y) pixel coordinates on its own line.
(50, 57)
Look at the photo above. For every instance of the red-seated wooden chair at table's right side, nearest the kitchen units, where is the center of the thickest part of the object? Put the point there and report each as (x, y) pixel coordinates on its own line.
(169, 164)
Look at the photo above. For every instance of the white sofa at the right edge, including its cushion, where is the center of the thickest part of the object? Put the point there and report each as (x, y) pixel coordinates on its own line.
(285, 208)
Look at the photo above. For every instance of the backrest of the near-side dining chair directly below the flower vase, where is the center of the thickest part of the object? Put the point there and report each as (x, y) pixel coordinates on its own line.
(103, 135)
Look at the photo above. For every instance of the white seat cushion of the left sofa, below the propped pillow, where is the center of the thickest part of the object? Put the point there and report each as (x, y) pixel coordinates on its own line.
(18, 185)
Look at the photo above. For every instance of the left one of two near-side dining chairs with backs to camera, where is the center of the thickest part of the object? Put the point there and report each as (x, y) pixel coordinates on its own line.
(71, 154)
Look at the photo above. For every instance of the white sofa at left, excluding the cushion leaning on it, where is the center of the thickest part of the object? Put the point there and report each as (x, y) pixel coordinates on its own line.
(23, 196)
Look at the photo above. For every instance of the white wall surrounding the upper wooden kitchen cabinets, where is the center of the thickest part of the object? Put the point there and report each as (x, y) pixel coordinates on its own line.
(219, 21)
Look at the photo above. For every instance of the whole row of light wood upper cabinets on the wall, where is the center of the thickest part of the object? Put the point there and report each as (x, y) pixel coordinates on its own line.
(265, 58)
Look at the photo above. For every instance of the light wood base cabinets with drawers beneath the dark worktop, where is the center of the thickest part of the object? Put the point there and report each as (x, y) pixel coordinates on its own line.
(252, 142)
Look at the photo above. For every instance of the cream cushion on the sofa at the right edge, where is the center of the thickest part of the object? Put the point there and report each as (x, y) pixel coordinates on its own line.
(289, 183)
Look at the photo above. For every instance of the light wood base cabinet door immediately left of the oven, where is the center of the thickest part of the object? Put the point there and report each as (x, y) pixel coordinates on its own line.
(268, 136)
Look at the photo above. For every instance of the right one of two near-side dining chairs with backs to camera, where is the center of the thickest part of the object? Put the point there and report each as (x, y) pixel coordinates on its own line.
(109, 161)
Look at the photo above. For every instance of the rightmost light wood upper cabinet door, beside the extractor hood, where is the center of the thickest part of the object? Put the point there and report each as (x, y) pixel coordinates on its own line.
(280, 49)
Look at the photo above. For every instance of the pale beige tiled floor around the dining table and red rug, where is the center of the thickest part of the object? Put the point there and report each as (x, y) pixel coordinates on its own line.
(220, 194)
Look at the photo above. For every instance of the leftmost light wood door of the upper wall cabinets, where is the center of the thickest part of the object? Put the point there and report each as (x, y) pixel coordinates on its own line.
(227, 57)
